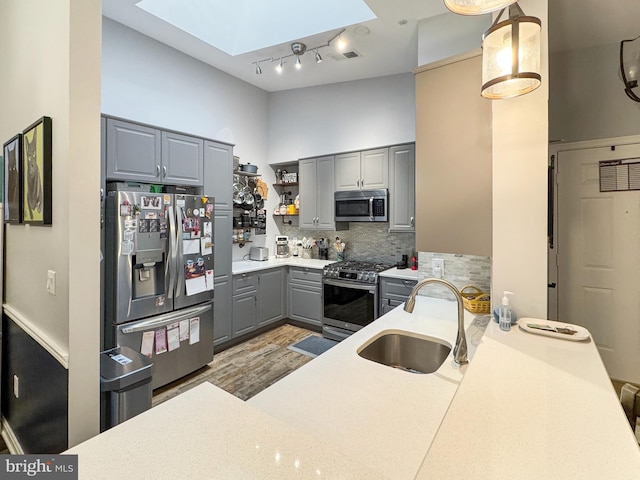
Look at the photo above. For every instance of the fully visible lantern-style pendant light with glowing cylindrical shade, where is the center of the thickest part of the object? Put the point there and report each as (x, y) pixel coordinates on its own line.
(511, 55)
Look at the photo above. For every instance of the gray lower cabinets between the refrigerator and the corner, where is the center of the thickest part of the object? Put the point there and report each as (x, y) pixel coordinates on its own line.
(258, 299)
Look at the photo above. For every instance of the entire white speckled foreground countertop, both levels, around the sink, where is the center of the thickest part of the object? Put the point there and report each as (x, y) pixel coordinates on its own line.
(526, 407)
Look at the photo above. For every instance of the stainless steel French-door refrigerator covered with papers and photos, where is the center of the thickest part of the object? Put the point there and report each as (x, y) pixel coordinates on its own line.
(159, 272)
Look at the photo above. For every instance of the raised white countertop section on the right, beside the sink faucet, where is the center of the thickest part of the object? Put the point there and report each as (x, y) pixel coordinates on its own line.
(534, 407)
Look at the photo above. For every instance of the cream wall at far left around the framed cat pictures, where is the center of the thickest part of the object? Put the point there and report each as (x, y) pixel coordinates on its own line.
(53, 50)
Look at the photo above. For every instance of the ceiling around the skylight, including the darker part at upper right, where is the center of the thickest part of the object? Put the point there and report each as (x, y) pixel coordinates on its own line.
(390, 47)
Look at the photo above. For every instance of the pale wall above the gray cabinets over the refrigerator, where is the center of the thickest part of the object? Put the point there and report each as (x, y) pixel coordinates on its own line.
(146, 81)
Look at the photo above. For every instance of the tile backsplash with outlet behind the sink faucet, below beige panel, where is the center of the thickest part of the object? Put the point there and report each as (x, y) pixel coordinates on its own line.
(461, 270)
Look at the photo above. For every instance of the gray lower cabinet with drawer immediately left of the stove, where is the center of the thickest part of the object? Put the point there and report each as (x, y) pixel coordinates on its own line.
(305, 295)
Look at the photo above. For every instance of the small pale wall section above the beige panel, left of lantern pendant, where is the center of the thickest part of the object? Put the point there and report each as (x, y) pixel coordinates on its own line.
(448, 35)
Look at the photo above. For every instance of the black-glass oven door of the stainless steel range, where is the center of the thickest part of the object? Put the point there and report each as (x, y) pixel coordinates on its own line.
(348, 306)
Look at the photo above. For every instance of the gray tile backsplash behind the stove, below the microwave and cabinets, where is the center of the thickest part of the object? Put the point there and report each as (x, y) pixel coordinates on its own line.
(364, 241)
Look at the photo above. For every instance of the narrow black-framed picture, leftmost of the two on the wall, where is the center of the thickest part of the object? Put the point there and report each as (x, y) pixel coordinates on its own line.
(12, 151)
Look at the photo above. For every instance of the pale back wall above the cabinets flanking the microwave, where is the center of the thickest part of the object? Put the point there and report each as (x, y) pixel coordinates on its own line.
(341, 117)
